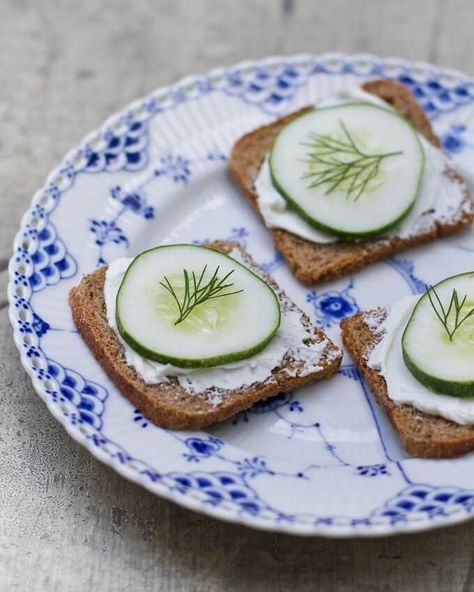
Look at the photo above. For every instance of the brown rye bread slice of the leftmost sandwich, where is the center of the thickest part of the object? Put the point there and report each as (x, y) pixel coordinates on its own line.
(170, 405)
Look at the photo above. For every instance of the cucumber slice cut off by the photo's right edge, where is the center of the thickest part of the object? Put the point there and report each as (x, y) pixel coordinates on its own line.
(442, 364)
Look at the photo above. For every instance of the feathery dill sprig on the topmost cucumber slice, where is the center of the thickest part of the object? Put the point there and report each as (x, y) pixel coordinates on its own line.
(341, 163)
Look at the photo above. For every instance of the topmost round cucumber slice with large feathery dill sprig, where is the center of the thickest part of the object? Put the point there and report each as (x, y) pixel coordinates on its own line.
(353, 170)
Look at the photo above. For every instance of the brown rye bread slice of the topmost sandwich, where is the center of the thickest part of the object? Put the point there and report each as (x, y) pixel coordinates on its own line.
(311, 262)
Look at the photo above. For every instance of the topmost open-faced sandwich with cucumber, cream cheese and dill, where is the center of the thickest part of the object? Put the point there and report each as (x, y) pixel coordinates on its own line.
(351, 182)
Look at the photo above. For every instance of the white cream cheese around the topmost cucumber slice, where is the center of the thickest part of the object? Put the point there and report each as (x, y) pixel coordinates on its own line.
(439, 197)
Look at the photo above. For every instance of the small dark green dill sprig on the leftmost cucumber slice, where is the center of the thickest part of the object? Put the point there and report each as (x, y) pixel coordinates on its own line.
(196, 291)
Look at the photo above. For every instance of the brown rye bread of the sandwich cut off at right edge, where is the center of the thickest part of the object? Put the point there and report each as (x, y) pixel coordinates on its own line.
(422, 434)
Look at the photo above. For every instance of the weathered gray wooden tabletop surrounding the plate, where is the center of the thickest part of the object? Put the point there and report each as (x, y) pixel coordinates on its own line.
(68, 523)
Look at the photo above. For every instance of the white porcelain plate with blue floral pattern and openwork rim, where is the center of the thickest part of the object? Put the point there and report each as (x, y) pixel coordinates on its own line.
(323, 460)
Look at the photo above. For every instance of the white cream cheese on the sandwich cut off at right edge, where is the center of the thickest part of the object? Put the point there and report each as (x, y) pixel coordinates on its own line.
(402, 386)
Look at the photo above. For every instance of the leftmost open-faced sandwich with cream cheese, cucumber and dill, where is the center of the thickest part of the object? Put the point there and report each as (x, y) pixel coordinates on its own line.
(192, 335)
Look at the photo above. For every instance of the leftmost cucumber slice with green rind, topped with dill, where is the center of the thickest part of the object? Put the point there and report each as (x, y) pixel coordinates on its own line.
(164, 314)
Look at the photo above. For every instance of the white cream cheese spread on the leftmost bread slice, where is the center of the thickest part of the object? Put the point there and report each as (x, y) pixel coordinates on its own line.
(257, 368)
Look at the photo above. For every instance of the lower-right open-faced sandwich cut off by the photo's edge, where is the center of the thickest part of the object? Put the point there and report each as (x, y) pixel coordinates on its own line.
(418, 358)
